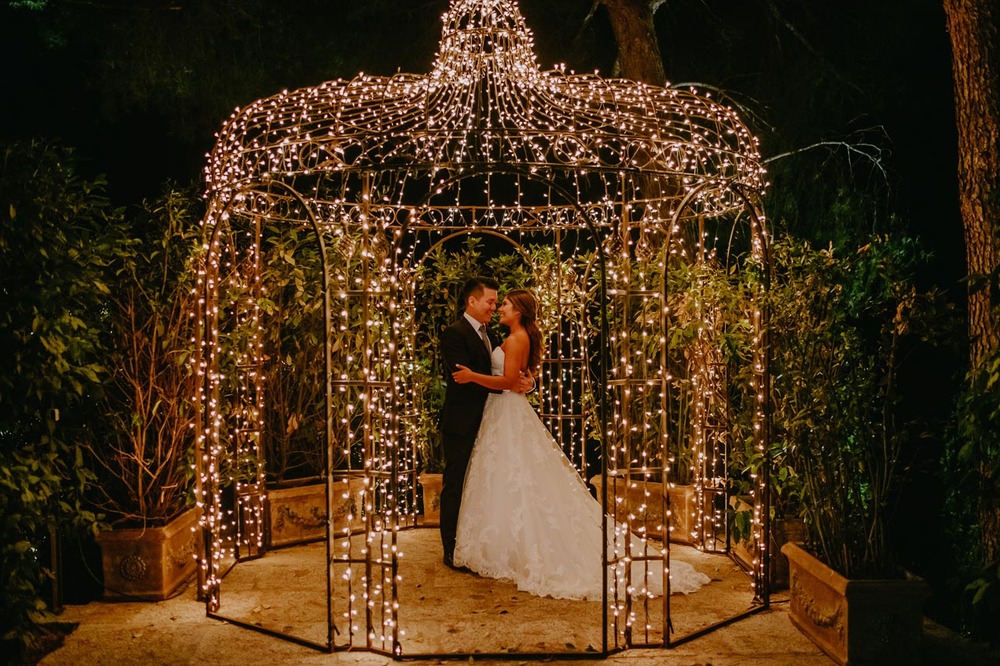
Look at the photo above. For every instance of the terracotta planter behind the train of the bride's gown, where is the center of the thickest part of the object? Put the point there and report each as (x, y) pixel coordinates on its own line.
(682, 507)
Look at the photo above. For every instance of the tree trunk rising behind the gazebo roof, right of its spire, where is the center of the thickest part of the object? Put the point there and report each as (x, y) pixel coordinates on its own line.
(638, 49)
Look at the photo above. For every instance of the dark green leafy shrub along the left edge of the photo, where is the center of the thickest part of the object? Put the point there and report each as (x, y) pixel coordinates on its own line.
(52, 248)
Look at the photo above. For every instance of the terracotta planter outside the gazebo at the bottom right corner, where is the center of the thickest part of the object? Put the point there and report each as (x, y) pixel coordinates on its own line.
(855, 621)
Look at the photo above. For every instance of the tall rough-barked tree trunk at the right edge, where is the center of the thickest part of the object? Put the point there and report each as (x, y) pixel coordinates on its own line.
(972, 25)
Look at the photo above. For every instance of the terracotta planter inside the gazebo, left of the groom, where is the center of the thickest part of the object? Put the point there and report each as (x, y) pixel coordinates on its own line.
(298, 514)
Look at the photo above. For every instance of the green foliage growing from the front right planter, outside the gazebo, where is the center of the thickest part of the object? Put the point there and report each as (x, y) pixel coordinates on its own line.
(842, 326)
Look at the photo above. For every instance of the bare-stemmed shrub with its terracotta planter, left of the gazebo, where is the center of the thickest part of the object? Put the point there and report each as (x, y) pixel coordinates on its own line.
(143, 455)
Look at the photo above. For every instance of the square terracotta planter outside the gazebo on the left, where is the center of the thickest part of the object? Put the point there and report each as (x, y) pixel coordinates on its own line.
(150, 563)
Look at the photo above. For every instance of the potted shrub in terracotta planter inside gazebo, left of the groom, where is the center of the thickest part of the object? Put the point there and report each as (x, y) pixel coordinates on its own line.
(294, 435)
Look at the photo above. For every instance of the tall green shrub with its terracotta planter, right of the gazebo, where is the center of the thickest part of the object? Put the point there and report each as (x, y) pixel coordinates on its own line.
(841, 328)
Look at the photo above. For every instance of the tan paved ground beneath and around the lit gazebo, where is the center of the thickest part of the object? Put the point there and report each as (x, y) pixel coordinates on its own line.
(441, 611)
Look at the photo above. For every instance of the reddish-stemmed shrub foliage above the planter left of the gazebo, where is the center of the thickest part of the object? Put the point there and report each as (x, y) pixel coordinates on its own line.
(144, 450)
